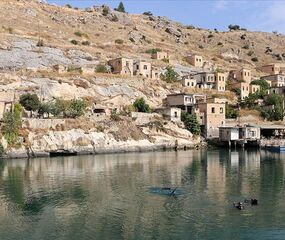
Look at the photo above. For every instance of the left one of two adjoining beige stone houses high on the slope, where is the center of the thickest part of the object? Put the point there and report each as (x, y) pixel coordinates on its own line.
(123, 66)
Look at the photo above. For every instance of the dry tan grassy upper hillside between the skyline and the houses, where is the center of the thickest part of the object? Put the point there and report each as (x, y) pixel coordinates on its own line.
(58, 24)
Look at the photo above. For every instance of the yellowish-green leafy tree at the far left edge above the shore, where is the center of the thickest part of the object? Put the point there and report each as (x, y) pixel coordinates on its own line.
(12, 122)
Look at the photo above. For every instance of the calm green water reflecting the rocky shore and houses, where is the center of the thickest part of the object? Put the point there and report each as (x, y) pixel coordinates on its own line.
(107, 196)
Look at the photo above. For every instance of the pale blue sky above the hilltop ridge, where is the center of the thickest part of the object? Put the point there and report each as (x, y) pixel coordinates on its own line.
(255, 15)
